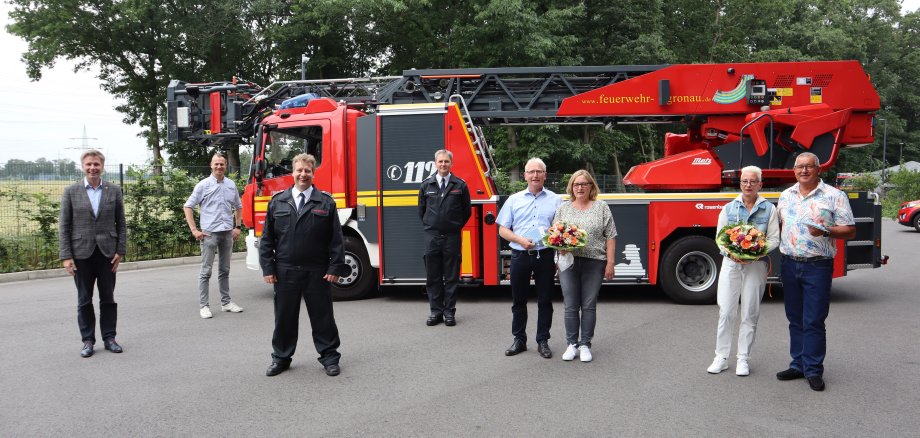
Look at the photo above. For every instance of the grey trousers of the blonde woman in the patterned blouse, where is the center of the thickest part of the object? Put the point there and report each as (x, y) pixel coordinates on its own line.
(580, 285)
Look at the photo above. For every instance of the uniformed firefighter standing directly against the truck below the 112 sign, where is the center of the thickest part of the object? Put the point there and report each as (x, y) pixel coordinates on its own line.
(443, 207)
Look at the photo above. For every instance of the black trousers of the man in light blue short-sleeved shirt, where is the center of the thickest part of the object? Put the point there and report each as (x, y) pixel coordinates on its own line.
(542, 266)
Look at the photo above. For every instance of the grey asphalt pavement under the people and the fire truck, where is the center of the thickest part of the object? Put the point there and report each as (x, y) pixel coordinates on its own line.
(183, 376)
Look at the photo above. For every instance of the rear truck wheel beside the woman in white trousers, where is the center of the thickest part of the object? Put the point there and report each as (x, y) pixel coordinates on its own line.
(690, 270)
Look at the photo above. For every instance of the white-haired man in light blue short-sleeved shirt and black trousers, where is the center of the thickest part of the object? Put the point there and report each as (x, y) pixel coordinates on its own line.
(523, 219)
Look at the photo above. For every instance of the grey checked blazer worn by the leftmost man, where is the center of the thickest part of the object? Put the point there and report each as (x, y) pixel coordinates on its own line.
(81, 231)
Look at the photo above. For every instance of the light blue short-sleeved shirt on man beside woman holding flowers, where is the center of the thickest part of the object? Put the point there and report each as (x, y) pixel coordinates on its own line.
(529, 216)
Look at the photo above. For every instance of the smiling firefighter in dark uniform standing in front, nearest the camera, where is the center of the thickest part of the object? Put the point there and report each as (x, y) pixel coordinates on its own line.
(301, 253)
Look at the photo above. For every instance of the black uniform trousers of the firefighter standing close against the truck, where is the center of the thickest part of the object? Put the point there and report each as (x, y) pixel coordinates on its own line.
(442, 267)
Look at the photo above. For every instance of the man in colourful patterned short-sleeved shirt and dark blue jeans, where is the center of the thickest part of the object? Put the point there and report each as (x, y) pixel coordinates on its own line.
(813, 216)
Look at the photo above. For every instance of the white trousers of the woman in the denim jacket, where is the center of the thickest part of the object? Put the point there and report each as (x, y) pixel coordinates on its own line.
(744, 283)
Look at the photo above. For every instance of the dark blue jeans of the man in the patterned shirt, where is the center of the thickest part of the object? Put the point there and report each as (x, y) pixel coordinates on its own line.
(807, 291)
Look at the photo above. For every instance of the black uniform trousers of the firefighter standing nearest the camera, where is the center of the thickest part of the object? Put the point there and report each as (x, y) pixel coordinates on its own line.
(293, 285)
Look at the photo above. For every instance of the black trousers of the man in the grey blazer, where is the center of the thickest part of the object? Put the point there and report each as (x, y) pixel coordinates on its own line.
(92, 272)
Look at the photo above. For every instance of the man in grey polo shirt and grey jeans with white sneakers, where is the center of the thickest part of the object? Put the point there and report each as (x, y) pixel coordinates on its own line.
(219, 208)
